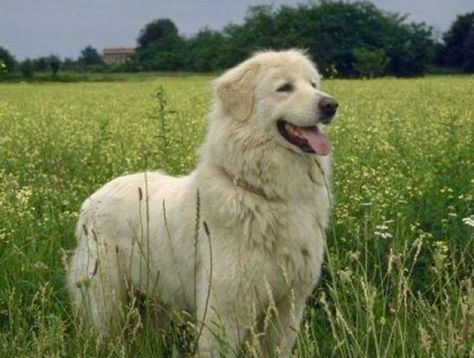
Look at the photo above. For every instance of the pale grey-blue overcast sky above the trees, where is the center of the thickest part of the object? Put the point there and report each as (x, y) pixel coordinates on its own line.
(31, 28)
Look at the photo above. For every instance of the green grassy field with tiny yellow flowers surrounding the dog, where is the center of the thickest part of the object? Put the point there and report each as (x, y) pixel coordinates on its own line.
(399, 272)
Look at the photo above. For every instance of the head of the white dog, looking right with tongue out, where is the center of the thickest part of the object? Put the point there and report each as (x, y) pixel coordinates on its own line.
(278, 94)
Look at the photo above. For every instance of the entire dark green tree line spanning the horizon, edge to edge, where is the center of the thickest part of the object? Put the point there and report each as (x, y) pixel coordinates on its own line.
(346, 39)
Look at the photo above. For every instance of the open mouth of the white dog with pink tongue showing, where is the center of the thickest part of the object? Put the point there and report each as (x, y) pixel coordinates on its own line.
(309, 139)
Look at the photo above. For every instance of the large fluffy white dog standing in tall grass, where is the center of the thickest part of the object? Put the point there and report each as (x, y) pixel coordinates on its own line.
(246, 267)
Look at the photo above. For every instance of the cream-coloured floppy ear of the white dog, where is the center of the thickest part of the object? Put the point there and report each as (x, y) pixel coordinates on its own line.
(235, 89)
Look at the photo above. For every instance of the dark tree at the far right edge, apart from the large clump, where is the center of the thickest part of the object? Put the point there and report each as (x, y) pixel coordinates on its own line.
(457, 50)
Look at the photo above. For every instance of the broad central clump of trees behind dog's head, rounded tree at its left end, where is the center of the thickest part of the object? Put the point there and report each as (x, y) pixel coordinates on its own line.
(340, 36)
